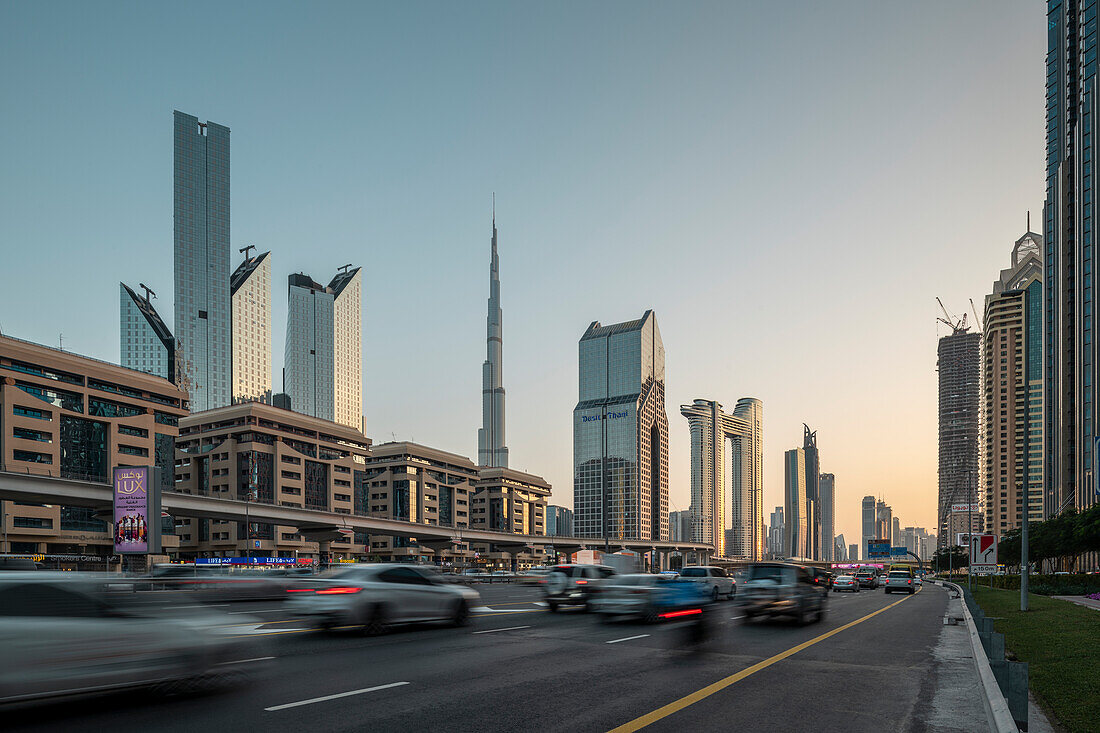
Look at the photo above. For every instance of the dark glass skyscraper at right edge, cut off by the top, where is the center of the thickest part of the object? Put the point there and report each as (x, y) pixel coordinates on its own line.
(1070, 266)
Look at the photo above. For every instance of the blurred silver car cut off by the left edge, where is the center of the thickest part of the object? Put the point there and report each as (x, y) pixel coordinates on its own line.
(68, 633)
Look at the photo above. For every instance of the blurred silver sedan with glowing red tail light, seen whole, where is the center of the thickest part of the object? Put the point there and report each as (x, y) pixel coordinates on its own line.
(377, 597)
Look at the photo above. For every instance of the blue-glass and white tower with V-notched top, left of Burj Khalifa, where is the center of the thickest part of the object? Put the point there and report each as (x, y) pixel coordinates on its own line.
(324, 364)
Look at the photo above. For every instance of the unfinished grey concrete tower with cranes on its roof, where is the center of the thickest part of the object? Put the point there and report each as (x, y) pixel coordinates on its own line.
(960, 413)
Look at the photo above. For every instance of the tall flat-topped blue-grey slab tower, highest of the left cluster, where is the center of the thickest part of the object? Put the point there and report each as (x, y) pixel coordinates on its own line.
(202, 260)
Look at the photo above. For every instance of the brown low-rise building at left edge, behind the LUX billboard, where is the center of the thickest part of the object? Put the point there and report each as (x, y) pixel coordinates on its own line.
(75, 418)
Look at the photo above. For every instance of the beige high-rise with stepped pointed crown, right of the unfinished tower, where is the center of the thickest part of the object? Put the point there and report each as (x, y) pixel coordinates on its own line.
(1013, 370)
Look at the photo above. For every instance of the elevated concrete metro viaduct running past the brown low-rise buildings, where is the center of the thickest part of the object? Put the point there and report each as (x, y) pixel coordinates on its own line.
(316, 526)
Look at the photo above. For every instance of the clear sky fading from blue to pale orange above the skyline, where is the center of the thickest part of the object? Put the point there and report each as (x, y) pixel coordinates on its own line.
(788, 185)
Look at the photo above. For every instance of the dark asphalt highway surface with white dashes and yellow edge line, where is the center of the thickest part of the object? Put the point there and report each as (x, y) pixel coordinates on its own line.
(518, 668)
